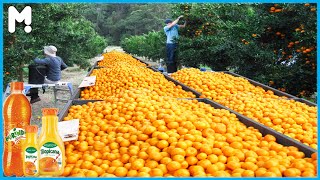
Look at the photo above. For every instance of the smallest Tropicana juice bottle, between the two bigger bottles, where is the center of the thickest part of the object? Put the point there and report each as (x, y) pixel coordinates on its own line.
(31, 152)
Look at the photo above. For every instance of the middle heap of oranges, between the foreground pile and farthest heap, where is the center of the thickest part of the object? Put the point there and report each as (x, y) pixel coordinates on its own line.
(115, 79)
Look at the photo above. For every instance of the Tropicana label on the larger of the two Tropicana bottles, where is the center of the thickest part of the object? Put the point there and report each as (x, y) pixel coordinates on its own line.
(50, 157)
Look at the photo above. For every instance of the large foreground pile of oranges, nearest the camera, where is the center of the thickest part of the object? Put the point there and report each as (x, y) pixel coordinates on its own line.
(138, 133)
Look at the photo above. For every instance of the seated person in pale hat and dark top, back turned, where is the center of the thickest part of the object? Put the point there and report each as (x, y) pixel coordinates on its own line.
(54, 67)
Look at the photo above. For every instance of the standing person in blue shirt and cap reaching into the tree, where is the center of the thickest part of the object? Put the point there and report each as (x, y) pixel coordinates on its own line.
(171, 30)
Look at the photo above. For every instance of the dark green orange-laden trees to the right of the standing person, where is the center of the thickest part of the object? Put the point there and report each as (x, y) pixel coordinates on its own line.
(271, 43)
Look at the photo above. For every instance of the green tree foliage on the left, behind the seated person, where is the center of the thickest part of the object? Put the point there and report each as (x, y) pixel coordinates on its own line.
(61, 25)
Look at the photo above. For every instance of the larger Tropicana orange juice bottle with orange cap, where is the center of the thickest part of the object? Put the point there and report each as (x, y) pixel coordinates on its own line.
(52, 152)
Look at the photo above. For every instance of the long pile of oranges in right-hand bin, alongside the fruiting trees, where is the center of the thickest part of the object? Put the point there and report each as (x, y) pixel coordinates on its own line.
(294, 119)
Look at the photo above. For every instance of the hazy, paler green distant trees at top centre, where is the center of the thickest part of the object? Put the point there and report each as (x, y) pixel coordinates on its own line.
(117, 21)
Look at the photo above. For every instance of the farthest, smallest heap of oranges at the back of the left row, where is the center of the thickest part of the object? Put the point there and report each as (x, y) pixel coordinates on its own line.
(113, 58)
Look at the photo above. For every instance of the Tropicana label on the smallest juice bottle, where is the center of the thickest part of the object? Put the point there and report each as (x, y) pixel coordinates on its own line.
(31, 161)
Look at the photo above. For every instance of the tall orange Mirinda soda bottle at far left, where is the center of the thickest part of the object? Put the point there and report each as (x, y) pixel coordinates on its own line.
(16, 116)
